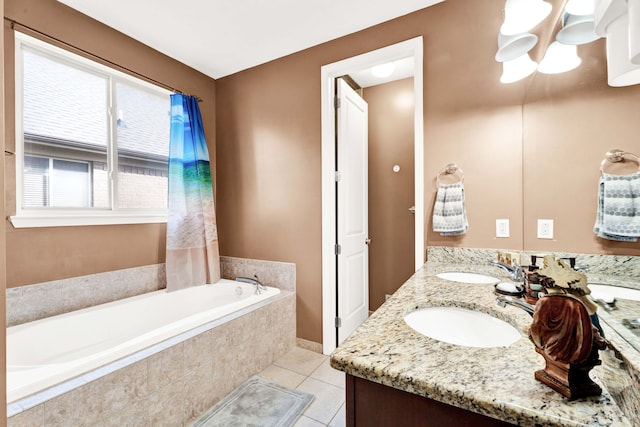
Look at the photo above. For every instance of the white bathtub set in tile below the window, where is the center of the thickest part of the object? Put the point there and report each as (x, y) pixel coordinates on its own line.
(43, 353)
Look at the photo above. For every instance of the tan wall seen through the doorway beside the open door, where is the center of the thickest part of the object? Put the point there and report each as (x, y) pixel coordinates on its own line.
(391, 225)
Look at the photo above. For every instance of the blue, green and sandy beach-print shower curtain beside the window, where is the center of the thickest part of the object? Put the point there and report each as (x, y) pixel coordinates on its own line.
(193, 256)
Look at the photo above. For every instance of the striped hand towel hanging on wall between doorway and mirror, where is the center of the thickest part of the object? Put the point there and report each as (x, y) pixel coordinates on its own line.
(449, 211)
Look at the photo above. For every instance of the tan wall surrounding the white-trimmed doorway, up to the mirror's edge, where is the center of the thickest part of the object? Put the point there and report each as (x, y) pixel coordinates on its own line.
(269, 139)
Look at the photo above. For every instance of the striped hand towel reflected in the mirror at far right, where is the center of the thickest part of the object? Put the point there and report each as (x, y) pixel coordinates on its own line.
(618, 215)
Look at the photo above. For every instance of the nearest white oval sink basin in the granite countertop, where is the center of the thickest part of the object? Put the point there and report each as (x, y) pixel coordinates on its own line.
(462, 327)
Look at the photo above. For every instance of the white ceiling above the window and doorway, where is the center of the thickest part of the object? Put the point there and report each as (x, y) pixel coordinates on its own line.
(222, 37)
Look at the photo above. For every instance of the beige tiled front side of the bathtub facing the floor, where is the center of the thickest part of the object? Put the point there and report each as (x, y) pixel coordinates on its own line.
(177, 384)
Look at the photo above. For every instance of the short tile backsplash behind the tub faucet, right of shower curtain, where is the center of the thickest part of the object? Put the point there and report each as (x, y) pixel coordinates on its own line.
(271, 273)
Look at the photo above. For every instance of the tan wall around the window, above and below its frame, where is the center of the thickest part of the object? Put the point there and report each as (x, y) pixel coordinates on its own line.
(42, 254)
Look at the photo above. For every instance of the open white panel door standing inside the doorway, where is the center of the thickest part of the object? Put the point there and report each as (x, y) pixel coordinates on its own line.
(352, 215)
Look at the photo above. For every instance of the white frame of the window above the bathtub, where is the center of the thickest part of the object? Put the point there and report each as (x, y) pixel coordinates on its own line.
(51, 216)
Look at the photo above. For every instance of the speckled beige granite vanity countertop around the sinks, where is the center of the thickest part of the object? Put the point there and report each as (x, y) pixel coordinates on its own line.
(496, 382)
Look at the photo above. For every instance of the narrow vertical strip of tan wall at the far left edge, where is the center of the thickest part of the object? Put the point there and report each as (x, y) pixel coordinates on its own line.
(3, 263)
